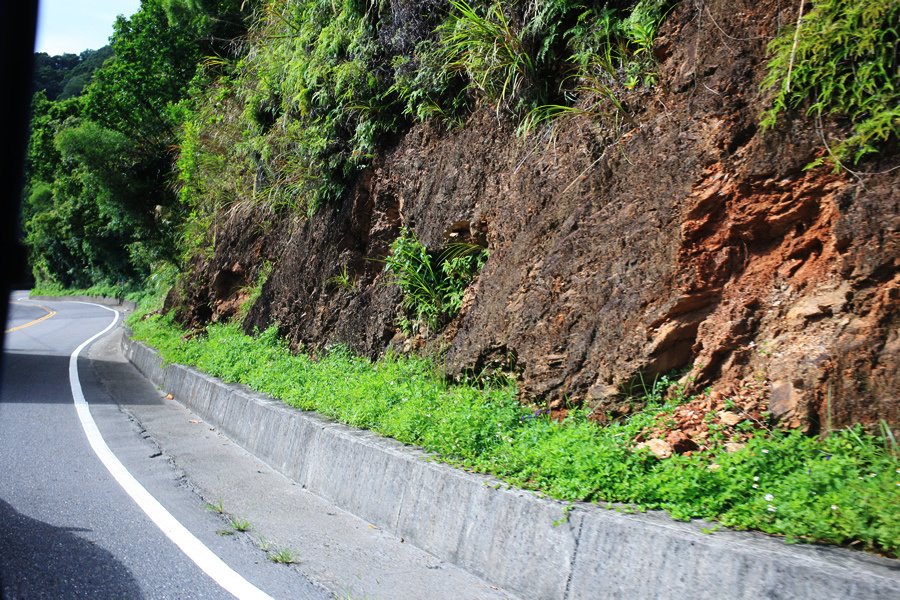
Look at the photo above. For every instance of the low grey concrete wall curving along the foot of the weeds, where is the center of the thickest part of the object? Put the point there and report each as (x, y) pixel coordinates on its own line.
(505, 536)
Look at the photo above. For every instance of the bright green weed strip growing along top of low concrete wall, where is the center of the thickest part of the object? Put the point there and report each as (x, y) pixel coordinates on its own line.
(842, 489)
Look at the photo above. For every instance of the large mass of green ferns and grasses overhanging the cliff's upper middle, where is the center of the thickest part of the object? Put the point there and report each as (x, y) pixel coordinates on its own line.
(324, 84)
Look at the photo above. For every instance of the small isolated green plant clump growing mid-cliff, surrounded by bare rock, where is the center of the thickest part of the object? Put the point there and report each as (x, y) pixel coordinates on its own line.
(432, 285)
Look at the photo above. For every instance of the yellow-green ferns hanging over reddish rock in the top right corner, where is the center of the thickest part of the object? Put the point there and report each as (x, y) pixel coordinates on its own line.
(842, 57)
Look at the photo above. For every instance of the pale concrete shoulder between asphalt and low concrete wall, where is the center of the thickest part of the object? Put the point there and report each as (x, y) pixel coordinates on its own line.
(335, 549)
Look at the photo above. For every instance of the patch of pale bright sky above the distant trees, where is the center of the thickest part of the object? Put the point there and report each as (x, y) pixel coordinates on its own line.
(77, 25)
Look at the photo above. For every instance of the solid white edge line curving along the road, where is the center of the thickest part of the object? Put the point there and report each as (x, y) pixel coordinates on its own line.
(202, 556)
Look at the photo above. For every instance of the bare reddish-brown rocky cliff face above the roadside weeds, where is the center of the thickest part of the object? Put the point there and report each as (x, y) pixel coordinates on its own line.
(620, 249)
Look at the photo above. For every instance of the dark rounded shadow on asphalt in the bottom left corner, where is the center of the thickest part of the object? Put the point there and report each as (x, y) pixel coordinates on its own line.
(38, 560)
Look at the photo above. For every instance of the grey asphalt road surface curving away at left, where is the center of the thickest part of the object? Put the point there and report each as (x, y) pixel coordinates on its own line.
(68, 529)
